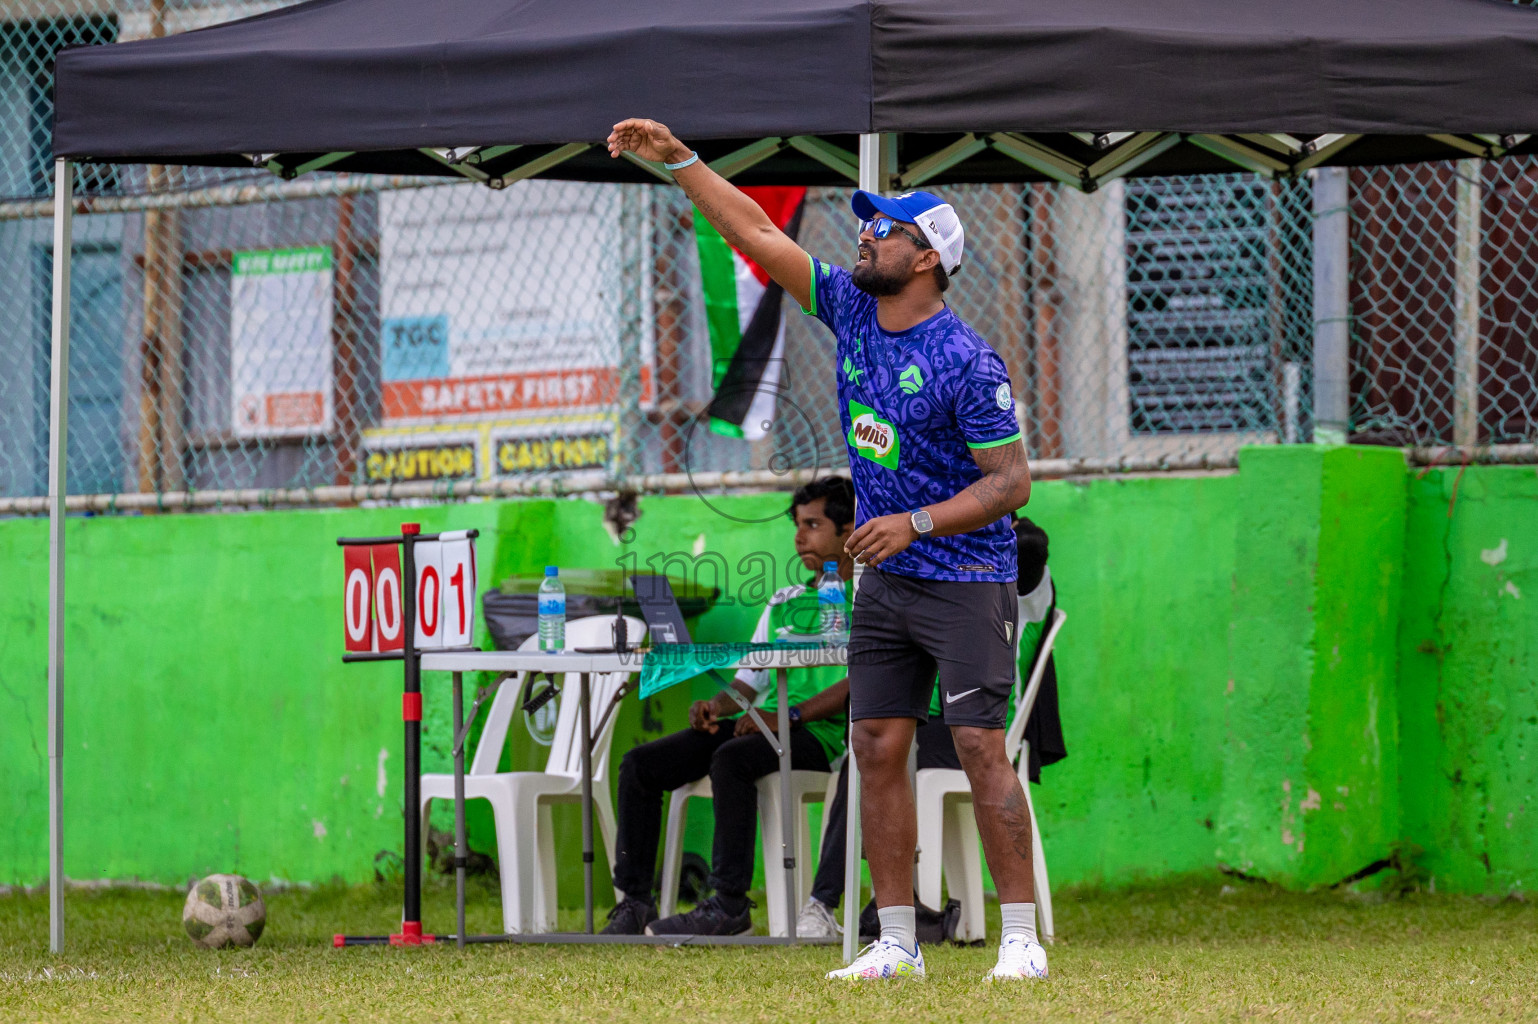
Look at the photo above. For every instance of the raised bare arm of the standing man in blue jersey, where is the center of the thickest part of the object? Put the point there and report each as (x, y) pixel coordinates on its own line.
(741, 221)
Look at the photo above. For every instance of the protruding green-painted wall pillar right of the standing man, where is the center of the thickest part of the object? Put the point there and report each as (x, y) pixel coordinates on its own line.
(1311, 780)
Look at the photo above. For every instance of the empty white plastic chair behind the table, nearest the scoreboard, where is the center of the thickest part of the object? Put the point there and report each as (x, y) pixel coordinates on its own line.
(522, 802)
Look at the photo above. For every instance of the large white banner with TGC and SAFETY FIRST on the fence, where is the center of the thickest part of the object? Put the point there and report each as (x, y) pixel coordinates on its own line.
(505, 302)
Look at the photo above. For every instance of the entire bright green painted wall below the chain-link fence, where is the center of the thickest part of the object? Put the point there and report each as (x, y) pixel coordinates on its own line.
(1240, 651)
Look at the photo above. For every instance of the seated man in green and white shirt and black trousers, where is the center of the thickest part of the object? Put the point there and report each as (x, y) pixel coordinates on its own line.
(730, 751)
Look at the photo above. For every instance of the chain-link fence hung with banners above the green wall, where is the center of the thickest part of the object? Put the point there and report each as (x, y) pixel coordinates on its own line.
(255, 334)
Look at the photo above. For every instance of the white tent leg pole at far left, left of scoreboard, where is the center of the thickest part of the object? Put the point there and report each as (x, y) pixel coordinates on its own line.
(58, 468)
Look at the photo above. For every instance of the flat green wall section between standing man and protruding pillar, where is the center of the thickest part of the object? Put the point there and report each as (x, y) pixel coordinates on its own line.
(1144, 571)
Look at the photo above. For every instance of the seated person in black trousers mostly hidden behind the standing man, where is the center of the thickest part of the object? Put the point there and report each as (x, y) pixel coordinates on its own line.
(933, 739)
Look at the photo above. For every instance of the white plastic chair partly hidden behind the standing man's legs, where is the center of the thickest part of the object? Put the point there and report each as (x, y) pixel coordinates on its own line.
(948, 840)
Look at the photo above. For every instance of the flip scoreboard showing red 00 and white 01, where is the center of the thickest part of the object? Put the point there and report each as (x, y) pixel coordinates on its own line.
(444, 594)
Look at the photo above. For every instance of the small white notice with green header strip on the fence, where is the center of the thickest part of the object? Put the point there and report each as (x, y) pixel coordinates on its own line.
(281, 324)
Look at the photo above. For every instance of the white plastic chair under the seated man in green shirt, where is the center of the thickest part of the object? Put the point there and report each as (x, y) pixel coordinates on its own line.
(807, 788)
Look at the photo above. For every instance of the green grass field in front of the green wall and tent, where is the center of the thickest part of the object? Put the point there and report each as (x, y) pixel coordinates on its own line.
(1176, 954)
